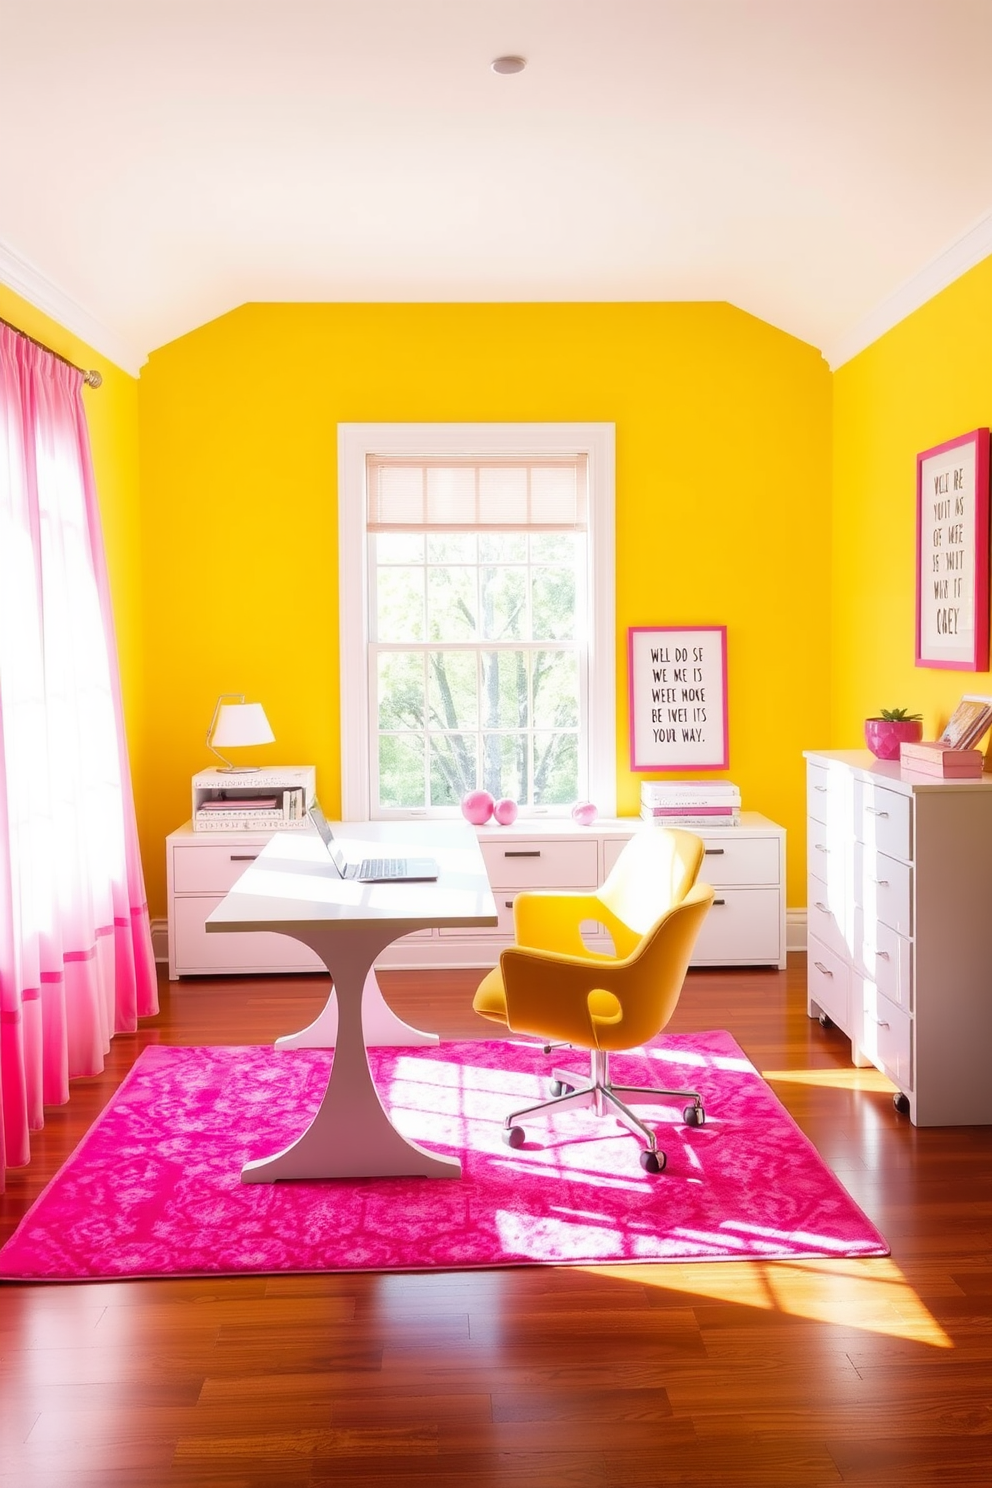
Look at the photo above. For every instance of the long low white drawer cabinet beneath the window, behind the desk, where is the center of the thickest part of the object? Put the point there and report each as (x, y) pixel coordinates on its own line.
(746, 926)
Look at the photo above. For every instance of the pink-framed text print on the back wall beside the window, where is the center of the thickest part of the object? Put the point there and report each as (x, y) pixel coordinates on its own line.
(677, 681)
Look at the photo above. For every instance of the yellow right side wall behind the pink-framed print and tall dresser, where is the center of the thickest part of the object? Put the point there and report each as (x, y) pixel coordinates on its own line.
(927, 380)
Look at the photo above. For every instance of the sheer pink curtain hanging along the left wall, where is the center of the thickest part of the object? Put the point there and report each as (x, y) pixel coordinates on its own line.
(75, 941)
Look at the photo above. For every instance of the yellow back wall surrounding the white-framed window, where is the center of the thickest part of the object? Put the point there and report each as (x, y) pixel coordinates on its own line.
(724, 492)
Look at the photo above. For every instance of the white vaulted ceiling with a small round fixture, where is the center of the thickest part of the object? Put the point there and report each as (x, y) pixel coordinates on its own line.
(164, 161)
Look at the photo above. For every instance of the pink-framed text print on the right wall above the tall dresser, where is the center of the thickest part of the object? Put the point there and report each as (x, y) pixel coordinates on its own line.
(953, 554)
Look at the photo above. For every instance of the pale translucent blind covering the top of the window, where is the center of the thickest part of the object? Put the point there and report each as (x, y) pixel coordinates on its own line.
(511, 495)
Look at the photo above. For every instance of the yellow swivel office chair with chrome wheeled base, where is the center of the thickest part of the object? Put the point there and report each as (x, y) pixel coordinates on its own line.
(550, 984)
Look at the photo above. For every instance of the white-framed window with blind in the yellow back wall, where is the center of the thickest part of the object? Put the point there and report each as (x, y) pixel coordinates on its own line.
(477, 617)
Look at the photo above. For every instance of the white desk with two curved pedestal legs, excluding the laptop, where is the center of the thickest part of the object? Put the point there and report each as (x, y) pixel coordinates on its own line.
(294, 889)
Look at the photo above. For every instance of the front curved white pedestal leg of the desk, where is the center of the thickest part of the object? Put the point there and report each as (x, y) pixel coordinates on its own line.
(352, 1135)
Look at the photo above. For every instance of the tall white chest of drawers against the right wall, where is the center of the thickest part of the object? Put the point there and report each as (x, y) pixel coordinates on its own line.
(901, 928)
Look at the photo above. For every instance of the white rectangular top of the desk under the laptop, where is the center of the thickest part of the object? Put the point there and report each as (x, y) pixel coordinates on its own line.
(294, 883)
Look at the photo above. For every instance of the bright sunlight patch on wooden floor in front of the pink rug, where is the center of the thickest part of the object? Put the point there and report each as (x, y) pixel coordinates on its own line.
(872, 1294)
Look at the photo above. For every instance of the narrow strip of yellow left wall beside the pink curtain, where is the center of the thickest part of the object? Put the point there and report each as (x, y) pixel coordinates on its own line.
(112, 414)
